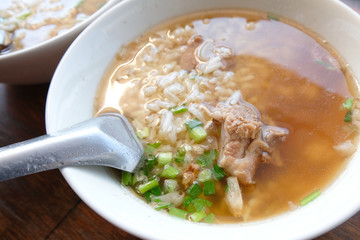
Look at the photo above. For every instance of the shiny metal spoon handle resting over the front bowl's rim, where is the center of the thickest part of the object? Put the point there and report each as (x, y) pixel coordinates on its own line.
(107, 140)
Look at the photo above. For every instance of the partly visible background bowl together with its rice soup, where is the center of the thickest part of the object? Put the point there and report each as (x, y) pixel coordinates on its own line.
(34, 35)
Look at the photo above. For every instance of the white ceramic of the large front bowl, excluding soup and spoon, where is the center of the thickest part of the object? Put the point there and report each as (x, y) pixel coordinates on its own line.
(73, 91)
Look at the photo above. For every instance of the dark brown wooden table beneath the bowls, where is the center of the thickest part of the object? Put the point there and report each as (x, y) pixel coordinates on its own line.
(43, 206)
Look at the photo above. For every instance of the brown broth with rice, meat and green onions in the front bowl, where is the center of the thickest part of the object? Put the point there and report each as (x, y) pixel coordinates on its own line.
(241, 114)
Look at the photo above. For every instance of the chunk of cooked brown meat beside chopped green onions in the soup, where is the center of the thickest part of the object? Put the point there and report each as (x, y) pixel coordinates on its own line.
(245, 140)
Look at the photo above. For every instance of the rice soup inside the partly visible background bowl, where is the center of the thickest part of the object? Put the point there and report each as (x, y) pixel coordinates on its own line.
(25, 23)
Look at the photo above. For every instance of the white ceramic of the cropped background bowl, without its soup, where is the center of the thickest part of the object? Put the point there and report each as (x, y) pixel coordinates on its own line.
(37, 64)
